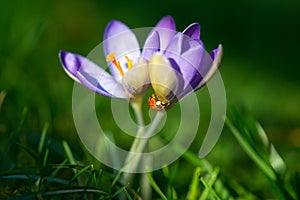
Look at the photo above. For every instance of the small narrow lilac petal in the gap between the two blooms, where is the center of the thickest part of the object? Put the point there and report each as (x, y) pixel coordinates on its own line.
(151, 45)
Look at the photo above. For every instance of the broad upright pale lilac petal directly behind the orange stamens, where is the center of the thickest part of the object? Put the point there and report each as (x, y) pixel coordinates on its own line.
(120, 39)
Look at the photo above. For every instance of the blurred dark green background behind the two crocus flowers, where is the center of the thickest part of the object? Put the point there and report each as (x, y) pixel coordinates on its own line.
(260, 66)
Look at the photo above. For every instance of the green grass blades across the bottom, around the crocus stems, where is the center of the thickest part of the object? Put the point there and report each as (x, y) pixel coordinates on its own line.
(78, 180)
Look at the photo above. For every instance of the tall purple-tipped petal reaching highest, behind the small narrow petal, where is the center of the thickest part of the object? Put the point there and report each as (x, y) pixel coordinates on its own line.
(166, 30)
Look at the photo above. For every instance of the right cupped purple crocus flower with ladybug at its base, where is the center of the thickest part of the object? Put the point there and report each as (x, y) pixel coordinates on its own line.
(182, 68)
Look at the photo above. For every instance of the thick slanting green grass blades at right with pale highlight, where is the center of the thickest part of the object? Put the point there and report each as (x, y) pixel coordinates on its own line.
(270, 163)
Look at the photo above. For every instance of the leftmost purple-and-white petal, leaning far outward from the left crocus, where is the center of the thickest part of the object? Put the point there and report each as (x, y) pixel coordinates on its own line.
(90, 75)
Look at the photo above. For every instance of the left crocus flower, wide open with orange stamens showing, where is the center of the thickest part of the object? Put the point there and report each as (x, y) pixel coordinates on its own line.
(129, 76)
